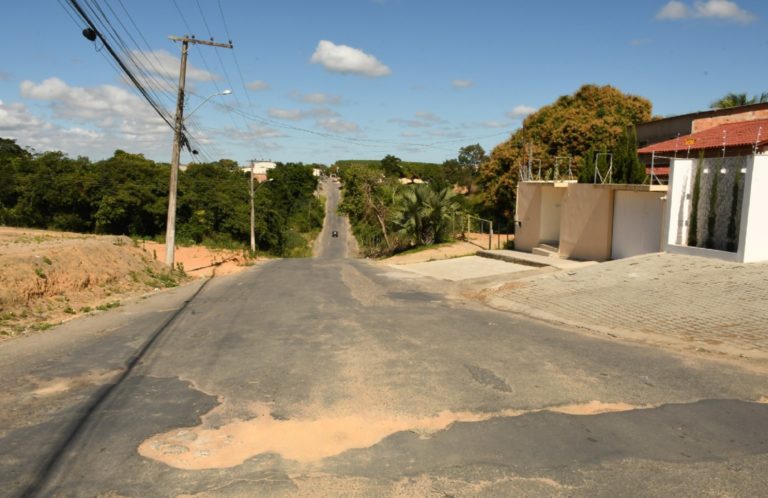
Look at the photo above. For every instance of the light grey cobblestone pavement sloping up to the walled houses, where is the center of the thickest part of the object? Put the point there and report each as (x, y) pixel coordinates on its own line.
(696, 302)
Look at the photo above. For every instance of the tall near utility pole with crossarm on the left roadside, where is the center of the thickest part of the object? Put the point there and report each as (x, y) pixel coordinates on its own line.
(178, 134)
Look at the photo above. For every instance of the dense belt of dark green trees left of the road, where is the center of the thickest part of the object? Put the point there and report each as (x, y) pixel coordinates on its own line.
(127, 194)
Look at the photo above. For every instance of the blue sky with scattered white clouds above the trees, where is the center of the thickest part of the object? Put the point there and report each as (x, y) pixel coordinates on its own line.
(321, 81)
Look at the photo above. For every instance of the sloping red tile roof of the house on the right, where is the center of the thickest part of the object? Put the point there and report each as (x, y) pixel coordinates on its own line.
(735, 134)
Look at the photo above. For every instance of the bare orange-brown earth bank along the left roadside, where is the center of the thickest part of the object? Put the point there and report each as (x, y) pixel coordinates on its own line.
(47, 277)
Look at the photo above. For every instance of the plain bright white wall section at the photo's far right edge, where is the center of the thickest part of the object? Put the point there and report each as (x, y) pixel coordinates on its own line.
(753, 244)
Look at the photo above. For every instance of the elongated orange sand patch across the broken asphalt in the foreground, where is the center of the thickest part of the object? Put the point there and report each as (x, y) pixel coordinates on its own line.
(306, 441)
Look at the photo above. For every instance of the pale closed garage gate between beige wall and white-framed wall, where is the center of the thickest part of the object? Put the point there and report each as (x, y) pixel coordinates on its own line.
(637, 223)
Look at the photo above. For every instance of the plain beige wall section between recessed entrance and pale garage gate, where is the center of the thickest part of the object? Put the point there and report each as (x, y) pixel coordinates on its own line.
(586, 222)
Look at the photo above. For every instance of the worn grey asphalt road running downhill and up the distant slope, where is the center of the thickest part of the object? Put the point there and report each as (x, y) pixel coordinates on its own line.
(336, 377)
